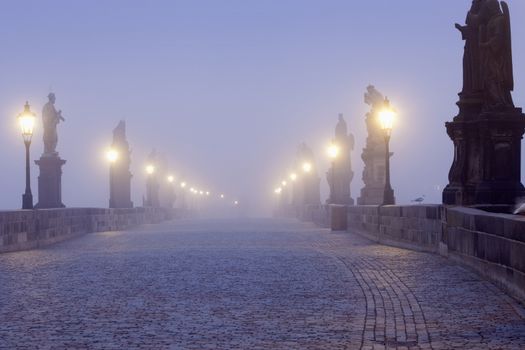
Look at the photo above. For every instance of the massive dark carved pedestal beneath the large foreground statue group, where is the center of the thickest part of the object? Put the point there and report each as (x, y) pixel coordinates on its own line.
(487, 159)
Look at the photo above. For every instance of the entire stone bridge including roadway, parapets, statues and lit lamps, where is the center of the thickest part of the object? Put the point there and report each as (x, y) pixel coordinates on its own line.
(345, 274)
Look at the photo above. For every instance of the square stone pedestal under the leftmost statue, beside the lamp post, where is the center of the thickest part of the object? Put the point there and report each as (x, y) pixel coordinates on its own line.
(50, 182)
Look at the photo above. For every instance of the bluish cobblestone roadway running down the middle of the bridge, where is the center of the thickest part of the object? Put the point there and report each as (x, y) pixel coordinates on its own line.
(251, 284)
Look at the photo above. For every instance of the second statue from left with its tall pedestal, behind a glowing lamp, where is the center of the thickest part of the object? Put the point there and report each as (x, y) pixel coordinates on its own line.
(119, 173)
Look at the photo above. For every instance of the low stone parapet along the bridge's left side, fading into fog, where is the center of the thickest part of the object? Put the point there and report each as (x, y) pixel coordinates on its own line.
(28, 229)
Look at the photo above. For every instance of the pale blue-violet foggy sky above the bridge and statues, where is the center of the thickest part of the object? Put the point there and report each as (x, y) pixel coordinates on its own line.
(227, 89)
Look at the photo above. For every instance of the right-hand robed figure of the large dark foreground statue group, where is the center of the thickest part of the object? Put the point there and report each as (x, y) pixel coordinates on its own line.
(496, 51)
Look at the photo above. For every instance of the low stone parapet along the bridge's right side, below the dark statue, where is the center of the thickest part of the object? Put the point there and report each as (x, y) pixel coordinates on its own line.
(492, 244)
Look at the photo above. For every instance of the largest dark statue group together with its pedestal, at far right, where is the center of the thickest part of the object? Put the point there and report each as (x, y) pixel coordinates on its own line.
(488, 130)
